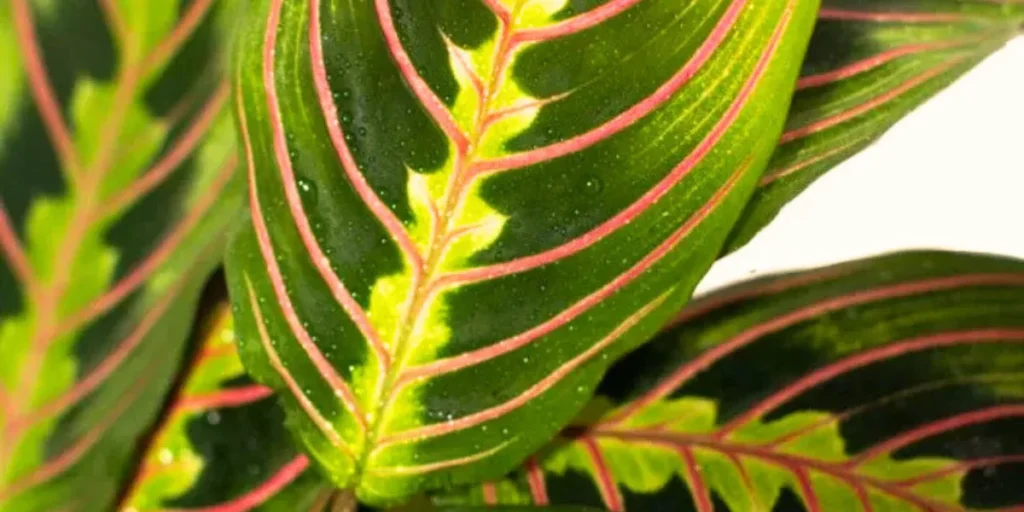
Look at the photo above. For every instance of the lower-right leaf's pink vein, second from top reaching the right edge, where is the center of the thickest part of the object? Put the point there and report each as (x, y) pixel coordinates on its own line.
(865, 359)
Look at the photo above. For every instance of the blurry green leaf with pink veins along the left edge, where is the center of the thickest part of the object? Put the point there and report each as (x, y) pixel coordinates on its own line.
(117, 160)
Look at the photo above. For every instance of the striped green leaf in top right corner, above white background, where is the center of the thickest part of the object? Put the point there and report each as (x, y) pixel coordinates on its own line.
(871, 64)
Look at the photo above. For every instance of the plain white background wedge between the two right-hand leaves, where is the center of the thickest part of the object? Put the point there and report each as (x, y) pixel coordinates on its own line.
(949, 177)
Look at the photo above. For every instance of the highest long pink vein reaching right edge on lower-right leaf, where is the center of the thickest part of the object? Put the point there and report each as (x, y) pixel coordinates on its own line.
(678, 378)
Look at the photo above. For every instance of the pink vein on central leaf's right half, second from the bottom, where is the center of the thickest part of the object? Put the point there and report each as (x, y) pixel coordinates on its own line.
(534, 392)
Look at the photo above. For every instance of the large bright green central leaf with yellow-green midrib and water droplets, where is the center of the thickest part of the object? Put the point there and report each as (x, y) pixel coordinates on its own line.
(463, 211)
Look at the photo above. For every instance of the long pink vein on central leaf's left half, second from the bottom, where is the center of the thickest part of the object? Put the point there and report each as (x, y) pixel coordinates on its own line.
(274, 272)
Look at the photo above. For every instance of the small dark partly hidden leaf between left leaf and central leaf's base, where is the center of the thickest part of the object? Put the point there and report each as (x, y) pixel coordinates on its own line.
(223, 445)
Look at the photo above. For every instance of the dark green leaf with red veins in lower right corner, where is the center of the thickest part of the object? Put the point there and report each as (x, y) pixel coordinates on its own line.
(894, 383)
